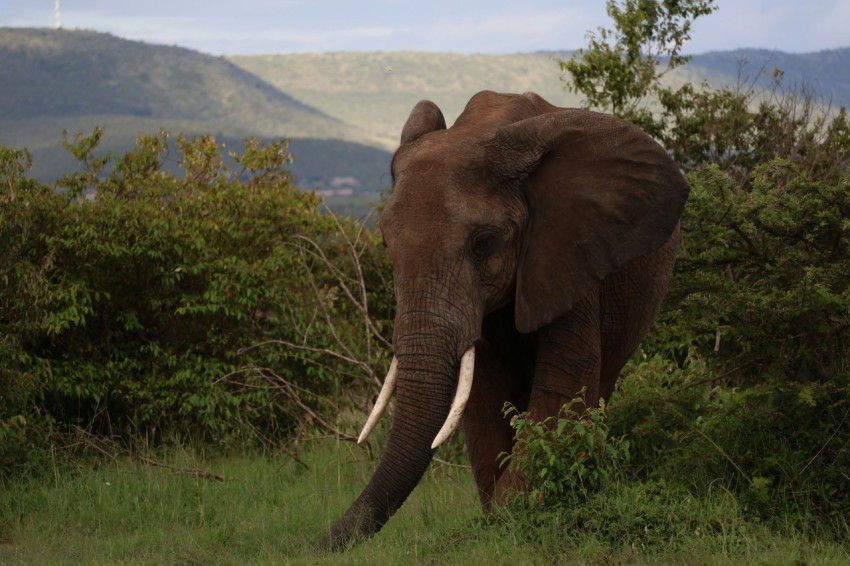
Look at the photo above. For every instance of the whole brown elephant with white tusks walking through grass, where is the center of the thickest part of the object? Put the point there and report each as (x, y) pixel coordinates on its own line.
(531, 246)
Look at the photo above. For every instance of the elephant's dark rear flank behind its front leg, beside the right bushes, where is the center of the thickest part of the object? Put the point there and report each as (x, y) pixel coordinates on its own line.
(631, 298)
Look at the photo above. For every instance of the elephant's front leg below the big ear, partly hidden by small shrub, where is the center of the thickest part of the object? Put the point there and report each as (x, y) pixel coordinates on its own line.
(567, 361)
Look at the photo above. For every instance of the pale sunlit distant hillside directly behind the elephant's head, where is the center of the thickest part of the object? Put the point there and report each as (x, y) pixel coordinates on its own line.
(376, 91)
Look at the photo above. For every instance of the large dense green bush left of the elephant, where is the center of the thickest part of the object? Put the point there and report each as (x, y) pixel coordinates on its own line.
(134, 300)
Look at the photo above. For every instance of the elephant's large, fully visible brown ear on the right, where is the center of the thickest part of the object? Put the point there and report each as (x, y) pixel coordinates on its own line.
(600, 194)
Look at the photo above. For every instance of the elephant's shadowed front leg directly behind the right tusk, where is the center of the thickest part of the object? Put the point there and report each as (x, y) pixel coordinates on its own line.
(502, 373)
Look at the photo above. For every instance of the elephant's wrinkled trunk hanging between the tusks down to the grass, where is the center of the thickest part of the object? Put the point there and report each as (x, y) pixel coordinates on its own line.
(425, 387)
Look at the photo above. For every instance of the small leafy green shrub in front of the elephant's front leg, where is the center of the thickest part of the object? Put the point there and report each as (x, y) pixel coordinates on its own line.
(565, 459)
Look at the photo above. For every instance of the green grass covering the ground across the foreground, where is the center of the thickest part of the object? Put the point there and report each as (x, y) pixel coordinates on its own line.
(270, 509)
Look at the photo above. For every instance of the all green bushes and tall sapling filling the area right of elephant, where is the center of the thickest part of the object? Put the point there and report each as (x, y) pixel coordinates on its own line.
(748, 380)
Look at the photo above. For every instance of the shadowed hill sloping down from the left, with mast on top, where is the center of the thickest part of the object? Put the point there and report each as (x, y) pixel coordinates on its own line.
(67, 74)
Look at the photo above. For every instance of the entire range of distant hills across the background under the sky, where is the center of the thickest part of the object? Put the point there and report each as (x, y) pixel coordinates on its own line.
(343, 111)
